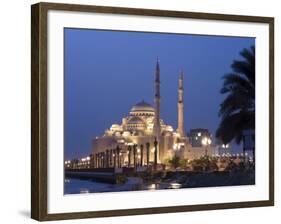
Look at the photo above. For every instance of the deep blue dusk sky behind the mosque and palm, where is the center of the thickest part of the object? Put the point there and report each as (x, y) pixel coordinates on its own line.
(107, 72)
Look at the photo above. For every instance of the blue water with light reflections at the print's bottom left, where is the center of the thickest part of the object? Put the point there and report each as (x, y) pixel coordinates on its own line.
(77, 186)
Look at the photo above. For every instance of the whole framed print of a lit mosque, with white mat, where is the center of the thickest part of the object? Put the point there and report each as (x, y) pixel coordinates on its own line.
(140, 111)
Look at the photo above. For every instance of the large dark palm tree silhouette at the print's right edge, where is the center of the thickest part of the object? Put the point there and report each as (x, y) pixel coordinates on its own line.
(237, 111)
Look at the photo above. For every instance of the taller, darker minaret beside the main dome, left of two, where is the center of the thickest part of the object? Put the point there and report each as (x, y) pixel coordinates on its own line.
(156, 126)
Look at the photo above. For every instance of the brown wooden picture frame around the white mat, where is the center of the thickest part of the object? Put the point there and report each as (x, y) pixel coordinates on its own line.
(39, 109)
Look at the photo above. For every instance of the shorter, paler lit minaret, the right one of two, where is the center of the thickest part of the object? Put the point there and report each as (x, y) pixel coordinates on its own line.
(180, 106)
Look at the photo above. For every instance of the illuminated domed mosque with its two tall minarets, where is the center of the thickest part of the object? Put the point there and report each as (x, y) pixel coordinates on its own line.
(144, 138)
